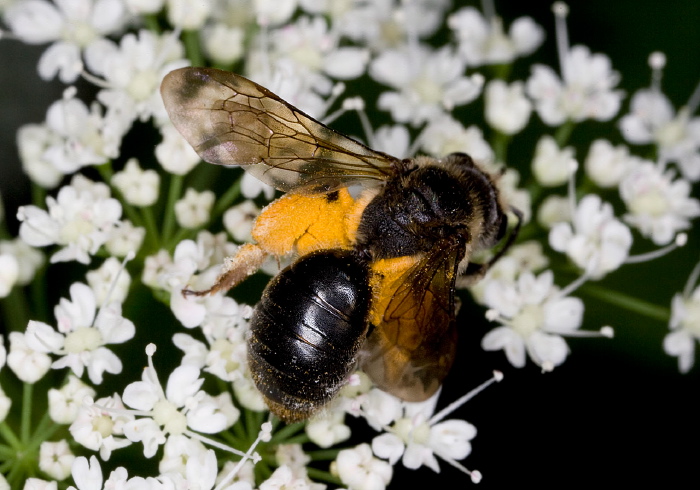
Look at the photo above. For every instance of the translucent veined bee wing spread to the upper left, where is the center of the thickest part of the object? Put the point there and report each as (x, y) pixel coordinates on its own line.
(230, 120)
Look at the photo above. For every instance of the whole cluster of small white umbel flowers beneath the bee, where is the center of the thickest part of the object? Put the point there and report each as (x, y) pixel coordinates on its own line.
(123, 203)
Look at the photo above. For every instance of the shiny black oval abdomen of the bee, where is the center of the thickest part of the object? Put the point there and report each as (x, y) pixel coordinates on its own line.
(307, 329)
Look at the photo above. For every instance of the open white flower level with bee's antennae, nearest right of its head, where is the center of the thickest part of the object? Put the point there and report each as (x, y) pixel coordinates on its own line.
(596, 241)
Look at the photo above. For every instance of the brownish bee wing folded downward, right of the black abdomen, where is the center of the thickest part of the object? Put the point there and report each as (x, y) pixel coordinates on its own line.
(411, 352)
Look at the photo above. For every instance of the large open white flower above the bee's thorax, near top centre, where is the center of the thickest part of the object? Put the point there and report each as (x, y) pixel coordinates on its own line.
(426, 83)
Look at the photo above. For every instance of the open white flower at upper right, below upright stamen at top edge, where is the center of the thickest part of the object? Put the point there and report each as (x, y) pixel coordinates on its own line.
(584, 91)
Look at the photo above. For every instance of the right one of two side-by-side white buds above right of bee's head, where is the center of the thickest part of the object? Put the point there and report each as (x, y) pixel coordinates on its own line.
(606, 165)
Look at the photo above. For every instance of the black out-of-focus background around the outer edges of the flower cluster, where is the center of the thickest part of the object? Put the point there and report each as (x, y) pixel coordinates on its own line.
(617, 411)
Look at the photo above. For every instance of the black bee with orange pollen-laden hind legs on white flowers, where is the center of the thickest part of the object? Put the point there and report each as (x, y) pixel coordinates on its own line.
(380, 242)
